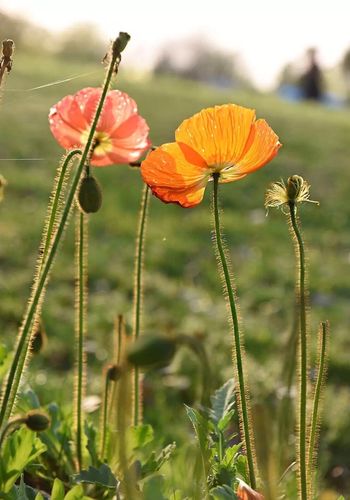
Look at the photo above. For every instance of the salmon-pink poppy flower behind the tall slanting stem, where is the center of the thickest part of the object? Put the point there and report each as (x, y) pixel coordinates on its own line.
(121, 134)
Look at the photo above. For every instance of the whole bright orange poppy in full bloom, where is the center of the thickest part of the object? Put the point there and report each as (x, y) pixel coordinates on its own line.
(227, 140)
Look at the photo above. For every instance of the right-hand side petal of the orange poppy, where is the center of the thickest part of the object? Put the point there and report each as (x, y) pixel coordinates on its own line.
(262, 146)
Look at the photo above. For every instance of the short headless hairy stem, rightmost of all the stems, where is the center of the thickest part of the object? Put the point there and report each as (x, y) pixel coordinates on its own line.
(317, 396)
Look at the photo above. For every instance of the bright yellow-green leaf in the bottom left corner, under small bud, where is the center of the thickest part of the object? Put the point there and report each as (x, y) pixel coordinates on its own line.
(21, 448)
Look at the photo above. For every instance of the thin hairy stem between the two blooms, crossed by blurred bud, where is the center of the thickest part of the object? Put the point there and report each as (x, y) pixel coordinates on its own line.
(138, 285)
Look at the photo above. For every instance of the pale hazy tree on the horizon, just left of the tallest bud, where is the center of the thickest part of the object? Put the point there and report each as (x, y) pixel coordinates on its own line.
(83, 42)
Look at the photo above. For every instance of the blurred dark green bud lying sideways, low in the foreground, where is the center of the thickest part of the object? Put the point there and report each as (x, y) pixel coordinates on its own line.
(152, 351)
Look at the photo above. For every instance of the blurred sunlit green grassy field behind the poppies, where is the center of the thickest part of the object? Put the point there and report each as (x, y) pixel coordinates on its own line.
(182, 291)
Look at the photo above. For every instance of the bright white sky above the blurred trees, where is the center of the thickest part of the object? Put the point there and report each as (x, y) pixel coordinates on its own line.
(267, 33)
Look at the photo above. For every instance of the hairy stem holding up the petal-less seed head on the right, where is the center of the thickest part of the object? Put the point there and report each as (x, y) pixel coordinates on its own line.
(302, 441)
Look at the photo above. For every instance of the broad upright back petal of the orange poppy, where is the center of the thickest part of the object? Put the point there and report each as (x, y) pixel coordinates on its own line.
(219, 135)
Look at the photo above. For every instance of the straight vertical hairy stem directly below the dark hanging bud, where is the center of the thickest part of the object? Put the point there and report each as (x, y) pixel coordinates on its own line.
(81, 263)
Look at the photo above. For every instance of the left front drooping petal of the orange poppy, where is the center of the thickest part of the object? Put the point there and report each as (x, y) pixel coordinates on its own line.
(172, 178)
